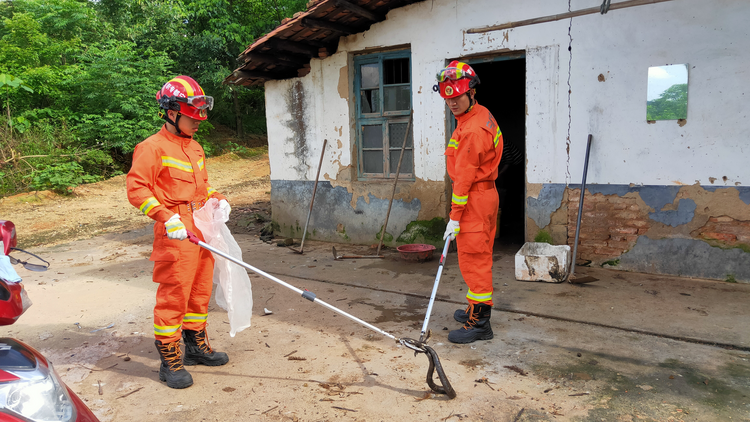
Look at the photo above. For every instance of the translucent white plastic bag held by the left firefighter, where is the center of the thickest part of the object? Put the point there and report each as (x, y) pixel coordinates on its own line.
(234, 293)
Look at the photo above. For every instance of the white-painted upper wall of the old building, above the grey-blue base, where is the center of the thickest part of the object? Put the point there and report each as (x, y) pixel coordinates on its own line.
(712, 37)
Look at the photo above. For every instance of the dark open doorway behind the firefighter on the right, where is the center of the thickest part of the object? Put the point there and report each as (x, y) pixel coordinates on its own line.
(503, 92)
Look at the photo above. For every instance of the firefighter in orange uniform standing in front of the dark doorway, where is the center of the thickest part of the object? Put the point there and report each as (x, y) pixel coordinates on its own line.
(472, 156)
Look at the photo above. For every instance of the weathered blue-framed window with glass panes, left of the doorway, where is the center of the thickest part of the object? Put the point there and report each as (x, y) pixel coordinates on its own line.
(382, 85)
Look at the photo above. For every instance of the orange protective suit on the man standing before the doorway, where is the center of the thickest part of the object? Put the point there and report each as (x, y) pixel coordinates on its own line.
(473, 155)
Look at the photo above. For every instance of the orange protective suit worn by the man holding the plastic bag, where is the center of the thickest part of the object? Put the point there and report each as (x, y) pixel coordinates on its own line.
(169, 177)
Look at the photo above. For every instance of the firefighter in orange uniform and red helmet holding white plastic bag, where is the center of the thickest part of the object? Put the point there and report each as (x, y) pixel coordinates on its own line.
(167, 182)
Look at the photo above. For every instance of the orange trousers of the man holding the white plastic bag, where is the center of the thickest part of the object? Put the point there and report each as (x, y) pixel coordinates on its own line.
(184, 272)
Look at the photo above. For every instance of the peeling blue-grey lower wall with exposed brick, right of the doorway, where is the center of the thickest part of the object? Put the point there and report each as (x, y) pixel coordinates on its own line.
(683, 230)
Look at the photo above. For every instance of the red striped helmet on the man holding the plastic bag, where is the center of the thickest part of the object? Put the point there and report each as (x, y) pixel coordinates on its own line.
(183, 94)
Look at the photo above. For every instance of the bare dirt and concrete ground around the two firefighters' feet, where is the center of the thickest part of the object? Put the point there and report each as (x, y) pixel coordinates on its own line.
(92, 317)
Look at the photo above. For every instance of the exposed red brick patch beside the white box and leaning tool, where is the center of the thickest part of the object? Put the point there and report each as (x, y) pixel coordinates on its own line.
(610, 225)
